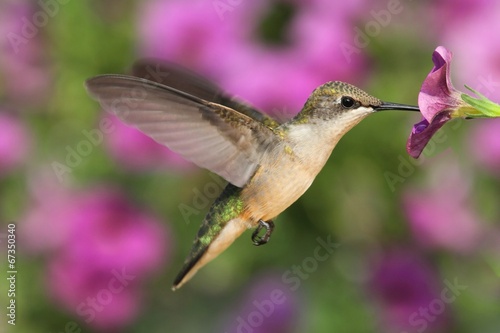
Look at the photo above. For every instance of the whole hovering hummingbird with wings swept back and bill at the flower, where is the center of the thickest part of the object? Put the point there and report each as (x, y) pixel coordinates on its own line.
(268, 163)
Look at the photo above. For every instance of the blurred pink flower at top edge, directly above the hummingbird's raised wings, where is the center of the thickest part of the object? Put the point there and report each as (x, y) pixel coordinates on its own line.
(189, 32)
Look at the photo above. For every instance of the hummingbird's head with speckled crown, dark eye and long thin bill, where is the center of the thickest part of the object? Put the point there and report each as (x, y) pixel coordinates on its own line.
(345, 104)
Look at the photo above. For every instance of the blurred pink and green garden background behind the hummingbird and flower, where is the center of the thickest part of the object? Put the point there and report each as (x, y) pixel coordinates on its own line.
(105, 217)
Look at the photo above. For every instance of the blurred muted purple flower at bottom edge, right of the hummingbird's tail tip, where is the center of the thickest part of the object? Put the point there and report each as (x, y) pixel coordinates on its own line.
(268, 307)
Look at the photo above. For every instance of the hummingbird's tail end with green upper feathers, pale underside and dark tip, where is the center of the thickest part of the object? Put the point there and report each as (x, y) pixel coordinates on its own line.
(222, 225)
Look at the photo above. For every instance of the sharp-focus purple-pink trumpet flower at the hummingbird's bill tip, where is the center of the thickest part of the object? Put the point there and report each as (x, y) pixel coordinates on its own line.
(438, 102)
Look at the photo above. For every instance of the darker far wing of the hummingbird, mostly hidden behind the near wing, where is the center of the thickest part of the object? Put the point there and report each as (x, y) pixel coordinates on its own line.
(180, 78)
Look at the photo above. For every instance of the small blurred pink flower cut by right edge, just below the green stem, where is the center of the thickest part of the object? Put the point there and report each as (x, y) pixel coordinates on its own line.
(484, 145)
